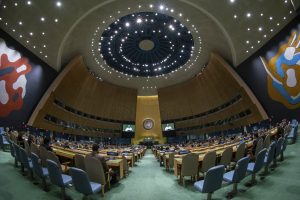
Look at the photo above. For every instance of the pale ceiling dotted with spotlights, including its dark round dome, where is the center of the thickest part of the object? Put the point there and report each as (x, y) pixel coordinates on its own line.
(144, 44)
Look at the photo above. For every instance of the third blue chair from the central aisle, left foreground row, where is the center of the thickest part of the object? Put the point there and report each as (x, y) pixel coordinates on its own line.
(38, 170)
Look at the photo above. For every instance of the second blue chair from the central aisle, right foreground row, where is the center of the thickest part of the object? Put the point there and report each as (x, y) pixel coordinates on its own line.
(237, 175)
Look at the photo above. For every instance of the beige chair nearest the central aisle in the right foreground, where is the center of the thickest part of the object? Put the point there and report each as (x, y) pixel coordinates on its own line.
(189, 167)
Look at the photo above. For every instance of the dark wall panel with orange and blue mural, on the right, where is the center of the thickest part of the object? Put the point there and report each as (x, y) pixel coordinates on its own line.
(254, 73)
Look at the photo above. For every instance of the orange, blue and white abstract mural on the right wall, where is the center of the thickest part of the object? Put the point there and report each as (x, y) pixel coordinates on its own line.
(284, 73)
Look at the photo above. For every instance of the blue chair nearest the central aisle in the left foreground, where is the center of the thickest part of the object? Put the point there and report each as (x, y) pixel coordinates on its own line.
(81, 182)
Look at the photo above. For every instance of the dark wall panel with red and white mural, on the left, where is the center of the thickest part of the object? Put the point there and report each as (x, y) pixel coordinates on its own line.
(18, 65)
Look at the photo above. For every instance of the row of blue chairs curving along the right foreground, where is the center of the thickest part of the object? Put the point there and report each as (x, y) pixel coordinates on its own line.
(216, 175)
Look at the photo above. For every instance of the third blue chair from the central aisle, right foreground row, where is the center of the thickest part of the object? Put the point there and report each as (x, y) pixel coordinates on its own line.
(254, 167)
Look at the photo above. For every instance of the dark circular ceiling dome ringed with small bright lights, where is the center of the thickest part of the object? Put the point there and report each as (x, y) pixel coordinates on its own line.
(146, 44)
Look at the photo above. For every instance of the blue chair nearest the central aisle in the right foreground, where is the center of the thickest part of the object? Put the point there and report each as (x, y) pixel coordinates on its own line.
(212, 181)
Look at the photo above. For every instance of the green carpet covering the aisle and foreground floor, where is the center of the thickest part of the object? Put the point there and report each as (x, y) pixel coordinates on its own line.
(149, 181)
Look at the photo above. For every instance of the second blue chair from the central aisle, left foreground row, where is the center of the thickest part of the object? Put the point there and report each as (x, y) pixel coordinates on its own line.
(57, 178)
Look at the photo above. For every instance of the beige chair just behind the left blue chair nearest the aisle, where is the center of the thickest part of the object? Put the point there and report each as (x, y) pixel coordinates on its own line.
(96, 172)
